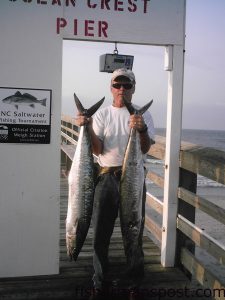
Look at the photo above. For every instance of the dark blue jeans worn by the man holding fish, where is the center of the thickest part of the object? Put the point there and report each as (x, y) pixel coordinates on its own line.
(105, 212)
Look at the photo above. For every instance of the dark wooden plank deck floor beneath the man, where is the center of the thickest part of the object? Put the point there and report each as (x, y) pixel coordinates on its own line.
(75, 278)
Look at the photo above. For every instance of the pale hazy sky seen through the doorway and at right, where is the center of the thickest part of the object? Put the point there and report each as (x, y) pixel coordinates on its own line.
(204, 80)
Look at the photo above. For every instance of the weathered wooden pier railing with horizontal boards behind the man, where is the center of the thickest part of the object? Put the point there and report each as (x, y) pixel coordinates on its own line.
(194, 160)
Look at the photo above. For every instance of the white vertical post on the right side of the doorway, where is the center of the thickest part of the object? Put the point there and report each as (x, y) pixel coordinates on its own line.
(173, 138)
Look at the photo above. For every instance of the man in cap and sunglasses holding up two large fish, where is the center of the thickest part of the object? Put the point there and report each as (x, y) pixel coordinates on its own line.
(109, 131)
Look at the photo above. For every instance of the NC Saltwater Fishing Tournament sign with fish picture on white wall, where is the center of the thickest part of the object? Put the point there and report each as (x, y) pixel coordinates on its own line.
(25, 115)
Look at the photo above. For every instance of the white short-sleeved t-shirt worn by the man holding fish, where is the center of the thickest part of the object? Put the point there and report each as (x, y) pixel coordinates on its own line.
(111, 125)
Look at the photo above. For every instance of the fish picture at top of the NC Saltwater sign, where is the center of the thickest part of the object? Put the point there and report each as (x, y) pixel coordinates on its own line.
(23, 99)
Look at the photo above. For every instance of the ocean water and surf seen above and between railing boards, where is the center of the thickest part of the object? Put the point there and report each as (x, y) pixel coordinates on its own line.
(207, 188)
